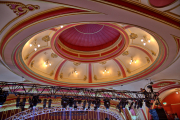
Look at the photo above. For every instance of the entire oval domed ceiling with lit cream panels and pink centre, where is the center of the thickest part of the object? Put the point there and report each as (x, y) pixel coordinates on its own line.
(126, 53)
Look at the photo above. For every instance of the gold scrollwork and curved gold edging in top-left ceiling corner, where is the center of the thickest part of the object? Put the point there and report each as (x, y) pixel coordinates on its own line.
(20, 9)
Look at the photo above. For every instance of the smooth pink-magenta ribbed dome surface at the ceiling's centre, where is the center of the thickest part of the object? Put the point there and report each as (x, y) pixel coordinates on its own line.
(89, 37)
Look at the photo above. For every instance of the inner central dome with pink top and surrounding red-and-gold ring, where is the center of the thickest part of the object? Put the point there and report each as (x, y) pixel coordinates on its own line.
(90, 42)
